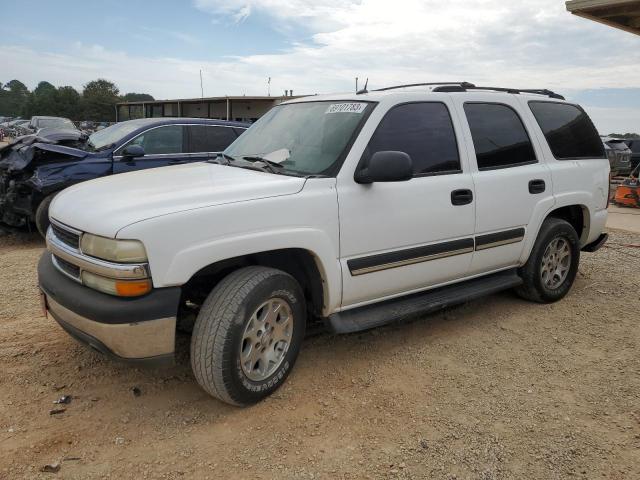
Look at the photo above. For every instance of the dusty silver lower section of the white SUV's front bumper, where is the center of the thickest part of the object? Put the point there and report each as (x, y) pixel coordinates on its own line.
(127, 340)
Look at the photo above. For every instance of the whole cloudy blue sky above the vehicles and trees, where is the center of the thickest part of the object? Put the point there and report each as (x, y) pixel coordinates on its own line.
(320, 46)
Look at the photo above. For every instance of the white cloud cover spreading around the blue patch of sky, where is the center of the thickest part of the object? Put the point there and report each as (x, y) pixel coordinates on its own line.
(517, 43)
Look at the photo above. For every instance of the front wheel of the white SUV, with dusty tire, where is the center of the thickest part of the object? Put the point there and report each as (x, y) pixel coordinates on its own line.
(224, 357)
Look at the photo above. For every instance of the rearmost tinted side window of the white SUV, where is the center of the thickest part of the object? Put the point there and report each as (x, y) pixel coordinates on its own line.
(568, 130)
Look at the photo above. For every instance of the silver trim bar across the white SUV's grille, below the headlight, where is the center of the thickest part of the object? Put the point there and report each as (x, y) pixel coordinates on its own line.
(126, 271)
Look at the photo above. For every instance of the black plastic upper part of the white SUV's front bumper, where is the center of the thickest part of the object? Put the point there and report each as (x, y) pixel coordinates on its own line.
(101, 307)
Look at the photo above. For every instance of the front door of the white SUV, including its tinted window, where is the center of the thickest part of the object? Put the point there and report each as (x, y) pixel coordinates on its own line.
(408, 236)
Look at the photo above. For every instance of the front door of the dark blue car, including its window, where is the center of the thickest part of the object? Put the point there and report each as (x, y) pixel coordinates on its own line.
(163, 145)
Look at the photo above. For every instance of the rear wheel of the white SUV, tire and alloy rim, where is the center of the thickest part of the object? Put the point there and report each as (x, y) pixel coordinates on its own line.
(539, 284)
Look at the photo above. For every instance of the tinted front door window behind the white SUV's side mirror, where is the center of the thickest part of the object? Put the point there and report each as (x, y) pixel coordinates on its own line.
(422, 130)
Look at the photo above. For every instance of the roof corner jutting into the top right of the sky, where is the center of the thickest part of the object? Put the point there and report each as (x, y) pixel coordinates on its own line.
(622, 14)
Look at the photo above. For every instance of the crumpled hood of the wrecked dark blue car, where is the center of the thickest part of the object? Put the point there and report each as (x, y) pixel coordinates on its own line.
(56, 145)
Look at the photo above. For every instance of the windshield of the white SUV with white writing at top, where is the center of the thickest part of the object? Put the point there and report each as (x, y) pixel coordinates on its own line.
(305, 138)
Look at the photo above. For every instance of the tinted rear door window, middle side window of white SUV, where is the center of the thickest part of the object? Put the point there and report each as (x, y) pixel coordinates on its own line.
(499, 137)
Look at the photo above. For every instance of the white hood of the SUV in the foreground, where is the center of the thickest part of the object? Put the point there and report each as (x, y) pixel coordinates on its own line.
(106, 205)
